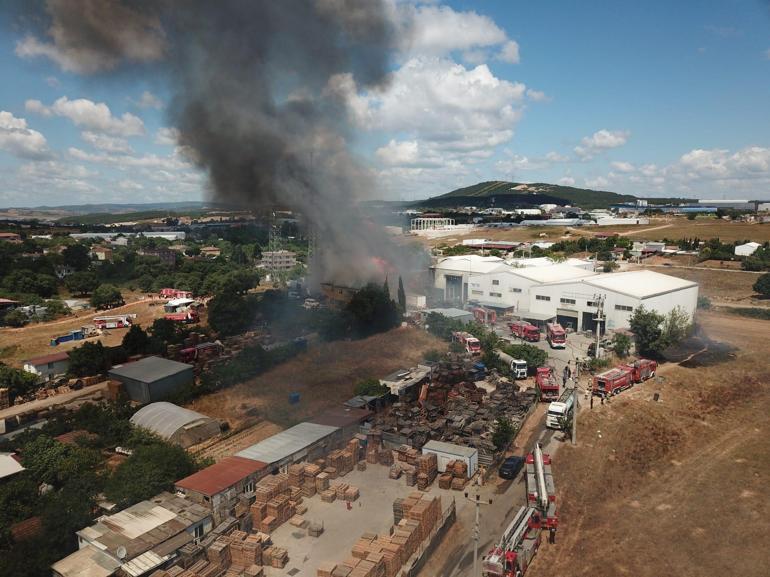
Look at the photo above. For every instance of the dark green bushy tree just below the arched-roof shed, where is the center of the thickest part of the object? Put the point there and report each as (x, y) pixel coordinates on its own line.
(150, 470)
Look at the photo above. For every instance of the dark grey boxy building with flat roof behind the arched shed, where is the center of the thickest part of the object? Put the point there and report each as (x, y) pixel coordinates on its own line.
(152, 378)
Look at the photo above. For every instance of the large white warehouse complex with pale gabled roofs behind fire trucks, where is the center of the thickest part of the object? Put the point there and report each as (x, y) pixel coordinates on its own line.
(561, 291)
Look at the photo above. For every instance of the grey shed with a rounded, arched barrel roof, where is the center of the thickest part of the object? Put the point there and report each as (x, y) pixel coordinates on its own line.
(176, 424)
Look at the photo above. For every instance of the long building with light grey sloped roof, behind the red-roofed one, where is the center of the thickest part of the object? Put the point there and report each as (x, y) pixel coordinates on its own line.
(302, 442)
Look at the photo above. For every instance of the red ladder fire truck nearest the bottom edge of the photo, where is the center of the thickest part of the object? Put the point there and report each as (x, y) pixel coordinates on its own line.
(513, 554)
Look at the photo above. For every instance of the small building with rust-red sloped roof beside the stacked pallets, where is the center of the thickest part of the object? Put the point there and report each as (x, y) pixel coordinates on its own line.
(223, 485)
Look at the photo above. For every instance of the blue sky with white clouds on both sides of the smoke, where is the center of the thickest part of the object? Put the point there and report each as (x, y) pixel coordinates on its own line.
(654, 99)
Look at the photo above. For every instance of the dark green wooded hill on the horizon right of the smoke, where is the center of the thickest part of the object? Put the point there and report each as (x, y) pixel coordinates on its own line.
(512, 194)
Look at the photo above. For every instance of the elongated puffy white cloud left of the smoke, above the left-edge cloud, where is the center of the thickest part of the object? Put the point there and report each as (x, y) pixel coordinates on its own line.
(90, 115)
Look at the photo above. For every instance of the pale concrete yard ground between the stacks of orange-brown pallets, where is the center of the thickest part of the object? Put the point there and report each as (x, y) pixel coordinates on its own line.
(371, 513)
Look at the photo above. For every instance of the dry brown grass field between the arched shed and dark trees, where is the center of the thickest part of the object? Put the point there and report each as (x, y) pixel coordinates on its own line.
(324, 376)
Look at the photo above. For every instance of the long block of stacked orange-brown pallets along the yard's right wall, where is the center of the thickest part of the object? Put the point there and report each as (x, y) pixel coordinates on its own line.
(384, 555)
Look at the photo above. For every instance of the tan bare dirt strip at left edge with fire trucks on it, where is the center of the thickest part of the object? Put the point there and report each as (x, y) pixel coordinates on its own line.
(34, 339)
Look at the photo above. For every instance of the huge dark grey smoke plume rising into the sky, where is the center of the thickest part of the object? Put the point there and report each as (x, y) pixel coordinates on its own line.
(258, 97)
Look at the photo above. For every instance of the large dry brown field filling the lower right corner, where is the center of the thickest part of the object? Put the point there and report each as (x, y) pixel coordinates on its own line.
(679, 486)
